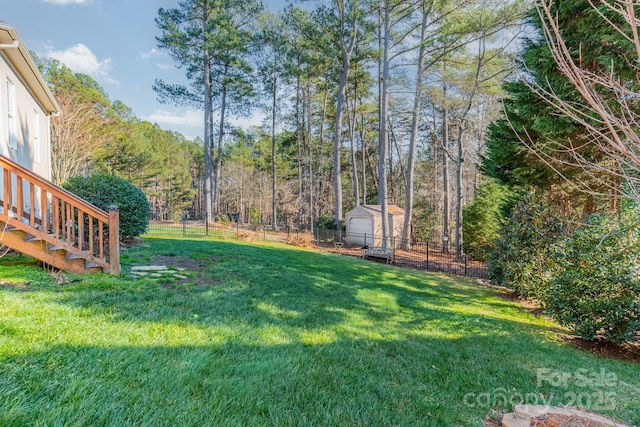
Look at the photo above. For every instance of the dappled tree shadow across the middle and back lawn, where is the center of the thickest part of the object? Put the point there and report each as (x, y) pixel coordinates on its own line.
(267, 284)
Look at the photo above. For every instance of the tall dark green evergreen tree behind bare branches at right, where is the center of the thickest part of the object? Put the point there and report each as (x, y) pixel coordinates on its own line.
(528, 146)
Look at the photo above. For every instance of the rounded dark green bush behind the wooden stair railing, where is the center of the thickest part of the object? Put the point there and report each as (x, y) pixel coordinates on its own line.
(104, 190)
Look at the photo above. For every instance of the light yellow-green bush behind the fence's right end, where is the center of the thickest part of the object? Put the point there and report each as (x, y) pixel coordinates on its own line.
(483, 219)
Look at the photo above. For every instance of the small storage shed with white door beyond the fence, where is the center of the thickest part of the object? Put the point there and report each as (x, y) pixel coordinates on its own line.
(364, 224)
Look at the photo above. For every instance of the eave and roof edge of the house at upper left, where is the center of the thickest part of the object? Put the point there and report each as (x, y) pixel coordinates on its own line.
(23, 64)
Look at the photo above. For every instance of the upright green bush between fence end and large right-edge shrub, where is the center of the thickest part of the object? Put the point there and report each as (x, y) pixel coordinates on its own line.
(521, 259)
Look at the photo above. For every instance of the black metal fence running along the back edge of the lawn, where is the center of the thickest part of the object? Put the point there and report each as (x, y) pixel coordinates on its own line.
(428, 256)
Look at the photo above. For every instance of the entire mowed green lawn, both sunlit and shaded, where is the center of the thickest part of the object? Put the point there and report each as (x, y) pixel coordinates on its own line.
(270, 335)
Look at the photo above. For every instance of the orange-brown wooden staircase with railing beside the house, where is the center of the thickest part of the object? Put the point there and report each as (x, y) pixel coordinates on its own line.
(51, 224)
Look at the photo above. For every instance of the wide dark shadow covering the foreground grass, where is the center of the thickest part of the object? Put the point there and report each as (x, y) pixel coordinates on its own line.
(422, 382)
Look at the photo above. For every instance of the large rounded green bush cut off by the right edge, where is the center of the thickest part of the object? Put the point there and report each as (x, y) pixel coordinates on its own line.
(596, 288)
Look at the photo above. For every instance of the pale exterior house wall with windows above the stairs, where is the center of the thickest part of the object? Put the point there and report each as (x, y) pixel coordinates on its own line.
(30, 123)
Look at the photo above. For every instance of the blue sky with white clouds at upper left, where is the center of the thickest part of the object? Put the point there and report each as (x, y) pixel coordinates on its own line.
(114, 42)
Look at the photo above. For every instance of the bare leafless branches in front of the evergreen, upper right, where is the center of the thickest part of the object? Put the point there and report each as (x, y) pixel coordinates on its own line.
(607, 108)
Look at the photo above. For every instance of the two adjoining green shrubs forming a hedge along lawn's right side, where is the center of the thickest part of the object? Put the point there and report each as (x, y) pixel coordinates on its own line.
(588, 279)
